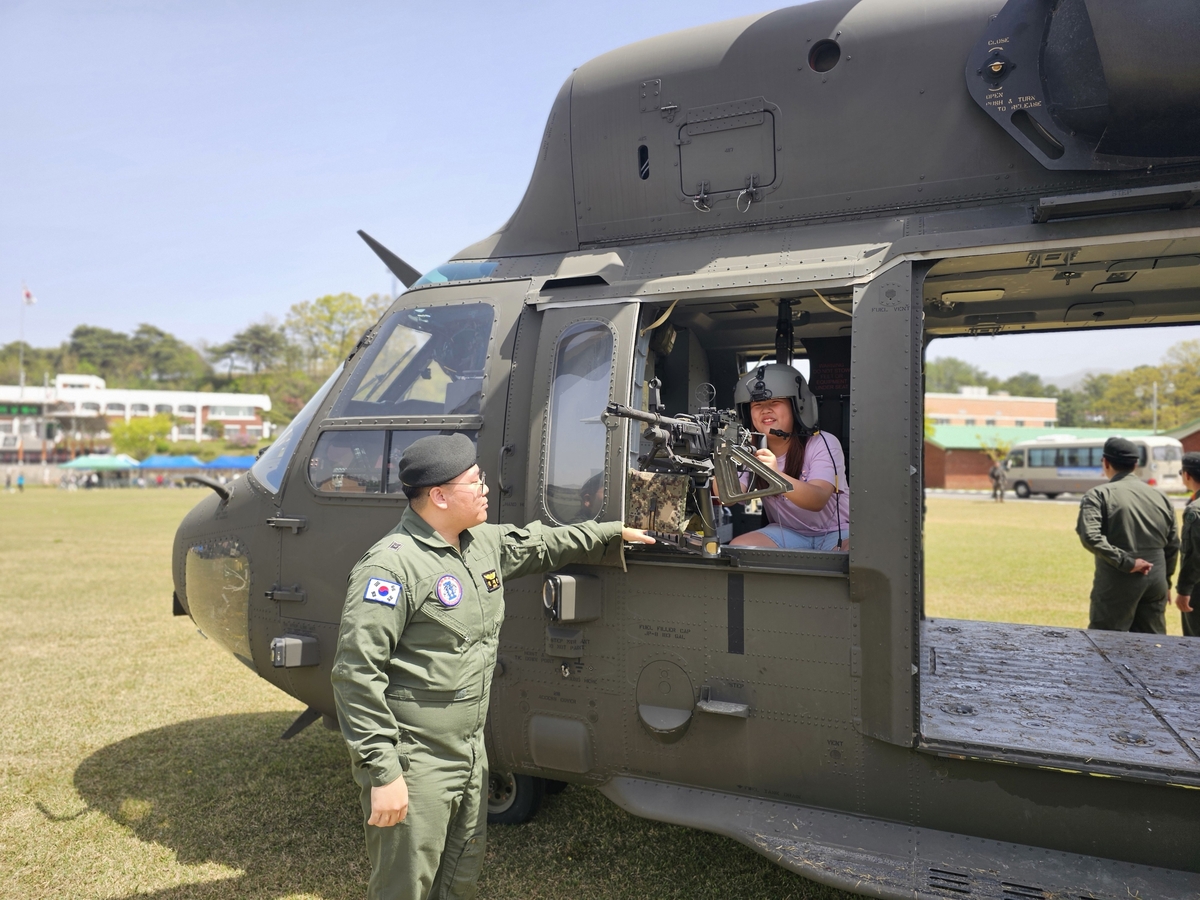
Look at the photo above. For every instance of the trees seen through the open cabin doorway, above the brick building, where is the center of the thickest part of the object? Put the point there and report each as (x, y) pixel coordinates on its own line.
(1120, 400)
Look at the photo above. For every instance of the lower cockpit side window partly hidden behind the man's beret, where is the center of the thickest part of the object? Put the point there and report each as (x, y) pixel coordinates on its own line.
(363, 463)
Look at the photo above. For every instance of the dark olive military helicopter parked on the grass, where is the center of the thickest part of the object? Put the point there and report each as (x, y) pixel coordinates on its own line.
(838, 183)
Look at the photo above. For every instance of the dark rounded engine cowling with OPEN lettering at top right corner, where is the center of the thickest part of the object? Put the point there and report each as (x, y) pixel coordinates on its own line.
(1094, 85)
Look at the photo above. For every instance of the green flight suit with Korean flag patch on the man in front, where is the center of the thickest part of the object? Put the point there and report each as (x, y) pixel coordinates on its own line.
(412, 680)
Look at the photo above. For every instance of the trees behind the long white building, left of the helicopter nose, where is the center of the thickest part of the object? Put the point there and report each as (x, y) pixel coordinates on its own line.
(287, 362)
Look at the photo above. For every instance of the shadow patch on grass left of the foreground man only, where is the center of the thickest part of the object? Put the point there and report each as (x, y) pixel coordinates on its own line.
(226, 790)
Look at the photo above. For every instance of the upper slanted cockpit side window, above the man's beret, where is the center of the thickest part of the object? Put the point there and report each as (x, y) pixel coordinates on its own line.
(425, 362)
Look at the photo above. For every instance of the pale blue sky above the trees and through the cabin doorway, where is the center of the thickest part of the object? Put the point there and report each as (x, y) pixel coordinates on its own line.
(202, 166)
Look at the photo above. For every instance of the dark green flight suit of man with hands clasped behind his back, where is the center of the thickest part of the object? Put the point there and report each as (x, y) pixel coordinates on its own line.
(1120, 523)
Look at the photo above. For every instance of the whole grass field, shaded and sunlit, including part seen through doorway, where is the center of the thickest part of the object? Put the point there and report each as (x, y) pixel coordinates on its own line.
(140, 760)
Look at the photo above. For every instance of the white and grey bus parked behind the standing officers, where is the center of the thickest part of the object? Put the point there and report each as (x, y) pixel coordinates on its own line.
(1061, 464)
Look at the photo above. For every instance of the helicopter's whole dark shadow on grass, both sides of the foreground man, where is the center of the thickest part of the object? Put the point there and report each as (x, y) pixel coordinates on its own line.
(286, 814)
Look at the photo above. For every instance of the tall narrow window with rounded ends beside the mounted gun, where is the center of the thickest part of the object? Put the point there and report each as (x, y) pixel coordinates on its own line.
(577, 443)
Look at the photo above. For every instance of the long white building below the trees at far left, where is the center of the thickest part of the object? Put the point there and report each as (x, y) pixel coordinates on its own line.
(79, 400)
